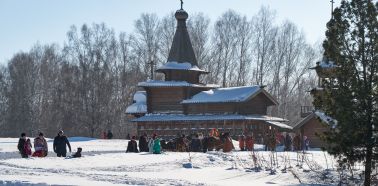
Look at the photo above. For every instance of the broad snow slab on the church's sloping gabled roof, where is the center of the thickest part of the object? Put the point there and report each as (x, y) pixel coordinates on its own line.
(232, 94)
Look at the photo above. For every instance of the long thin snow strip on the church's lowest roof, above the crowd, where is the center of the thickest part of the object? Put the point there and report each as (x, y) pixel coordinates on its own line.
(205, 117)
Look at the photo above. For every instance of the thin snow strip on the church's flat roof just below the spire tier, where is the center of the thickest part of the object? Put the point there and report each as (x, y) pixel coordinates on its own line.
(157, 83)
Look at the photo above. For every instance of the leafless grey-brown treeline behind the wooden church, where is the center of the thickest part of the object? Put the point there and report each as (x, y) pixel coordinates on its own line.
(84, 86)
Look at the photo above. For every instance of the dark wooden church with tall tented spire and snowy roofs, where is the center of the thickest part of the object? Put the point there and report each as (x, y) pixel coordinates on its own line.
(181, 104)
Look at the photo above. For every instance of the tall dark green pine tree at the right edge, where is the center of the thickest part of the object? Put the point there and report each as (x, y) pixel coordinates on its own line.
(350, 96)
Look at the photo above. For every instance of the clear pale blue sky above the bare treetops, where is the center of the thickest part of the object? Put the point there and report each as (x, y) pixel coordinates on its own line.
(26, 22)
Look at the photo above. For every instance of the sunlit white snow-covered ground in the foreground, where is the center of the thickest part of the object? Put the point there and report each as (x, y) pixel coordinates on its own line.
(105, 162)
